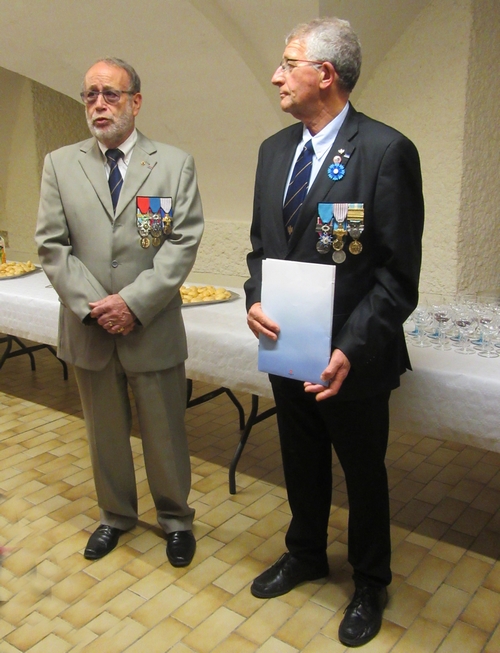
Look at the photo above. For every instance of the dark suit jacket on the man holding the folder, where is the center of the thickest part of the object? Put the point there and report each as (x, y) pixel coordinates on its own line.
(375, 290)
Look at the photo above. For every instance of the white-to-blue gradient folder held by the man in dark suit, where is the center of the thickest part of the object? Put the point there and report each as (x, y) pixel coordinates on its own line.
(299, 297)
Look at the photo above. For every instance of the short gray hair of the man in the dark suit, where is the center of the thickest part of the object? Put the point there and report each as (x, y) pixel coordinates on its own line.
(333, 40)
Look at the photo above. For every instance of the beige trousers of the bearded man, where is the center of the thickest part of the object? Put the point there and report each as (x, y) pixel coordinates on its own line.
(160, 398)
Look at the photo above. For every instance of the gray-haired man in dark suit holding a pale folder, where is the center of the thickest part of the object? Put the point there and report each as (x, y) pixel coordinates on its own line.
(363, 212)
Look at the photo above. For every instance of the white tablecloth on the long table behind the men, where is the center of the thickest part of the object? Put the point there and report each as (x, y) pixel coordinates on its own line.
(447, 396)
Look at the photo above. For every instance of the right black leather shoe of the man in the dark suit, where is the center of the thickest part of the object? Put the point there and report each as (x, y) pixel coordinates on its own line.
(363, 615)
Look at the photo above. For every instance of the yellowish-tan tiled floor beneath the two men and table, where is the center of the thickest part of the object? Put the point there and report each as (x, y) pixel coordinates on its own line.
(446, 539)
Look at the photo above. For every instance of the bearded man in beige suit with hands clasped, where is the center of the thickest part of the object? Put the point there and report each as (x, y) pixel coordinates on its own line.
(119, 224)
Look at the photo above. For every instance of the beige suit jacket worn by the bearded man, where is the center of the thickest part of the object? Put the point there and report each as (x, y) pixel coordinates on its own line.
(88, 252)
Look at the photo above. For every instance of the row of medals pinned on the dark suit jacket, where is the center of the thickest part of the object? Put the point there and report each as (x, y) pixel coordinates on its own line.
(345, 220)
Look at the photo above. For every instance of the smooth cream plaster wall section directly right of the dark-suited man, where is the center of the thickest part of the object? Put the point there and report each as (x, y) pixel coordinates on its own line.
(420, 88)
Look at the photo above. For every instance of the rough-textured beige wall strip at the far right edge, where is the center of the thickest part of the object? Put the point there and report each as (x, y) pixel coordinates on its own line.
(478, 232)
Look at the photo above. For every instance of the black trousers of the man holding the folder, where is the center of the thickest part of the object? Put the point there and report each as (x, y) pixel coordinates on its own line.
(358, 430)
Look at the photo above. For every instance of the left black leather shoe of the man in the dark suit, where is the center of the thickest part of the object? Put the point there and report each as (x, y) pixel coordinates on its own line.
(284, 575)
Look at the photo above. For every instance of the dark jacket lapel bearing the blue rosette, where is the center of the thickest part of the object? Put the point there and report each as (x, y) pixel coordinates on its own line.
(344, 146)
